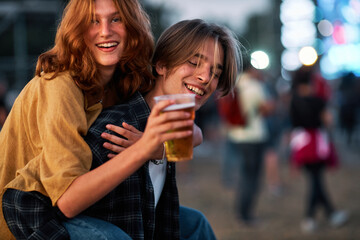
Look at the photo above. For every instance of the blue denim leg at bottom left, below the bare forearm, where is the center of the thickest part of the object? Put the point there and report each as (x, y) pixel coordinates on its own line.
(88, 228)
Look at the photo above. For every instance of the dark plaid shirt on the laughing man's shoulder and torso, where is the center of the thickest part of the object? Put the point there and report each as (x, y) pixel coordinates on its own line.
(131, 205)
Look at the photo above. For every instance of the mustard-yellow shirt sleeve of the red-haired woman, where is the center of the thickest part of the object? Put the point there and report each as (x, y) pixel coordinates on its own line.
(59, 123)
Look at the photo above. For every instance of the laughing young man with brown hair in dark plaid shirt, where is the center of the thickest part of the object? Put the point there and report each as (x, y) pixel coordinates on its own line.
(135, 196)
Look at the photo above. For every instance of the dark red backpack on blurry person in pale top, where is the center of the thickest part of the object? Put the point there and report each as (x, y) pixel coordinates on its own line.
(230, 110)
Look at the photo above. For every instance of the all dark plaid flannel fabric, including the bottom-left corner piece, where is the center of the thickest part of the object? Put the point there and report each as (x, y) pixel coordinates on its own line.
(130, 206)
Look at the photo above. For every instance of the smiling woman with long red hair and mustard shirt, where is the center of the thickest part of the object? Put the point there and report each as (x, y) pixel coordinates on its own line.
(101, 57)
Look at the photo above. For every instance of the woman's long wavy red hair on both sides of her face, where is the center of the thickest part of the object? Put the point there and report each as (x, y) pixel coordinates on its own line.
(70, 52)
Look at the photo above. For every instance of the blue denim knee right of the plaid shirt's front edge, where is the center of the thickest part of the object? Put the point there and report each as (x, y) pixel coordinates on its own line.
(194, 225)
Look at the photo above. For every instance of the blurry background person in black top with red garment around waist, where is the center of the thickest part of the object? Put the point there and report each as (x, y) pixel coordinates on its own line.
(312, 148)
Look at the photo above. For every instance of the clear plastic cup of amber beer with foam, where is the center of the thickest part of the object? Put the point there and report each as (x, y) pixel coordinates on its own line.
(179, 149)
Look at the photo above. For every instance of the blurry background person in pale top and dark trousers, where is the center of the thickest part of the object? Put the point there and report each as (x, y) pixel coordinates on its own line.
(247, 142)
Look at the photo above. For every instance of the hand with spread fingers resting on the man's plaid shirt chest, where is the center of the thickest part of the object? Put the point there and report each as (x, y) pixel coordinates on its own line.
(118, 144)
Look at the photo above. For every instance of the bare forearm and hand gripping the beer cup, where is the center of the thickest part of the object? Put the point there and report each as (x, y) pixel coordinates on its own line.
(94, 185)
